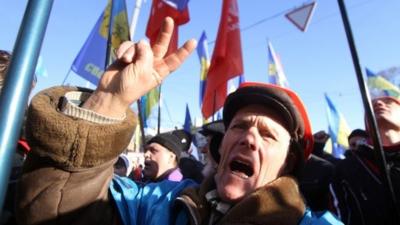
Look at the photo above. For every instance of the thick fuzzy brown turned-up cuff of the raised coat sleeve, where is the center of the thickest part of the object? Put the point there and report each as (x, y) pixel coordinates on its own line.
(72, 143)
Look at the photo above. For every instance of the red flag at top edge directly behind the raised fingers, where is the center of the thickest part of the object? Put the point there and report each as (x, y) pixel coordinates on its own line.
(161, 9)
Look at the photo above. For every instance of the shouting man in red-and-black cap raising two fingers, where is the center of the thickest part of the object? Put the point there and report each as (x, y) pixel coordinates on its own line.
(268, 136)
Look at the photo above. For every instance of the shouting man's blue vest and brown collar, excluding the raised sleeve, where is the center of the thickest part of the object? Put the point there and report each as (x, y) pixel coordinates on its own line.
(279, 202)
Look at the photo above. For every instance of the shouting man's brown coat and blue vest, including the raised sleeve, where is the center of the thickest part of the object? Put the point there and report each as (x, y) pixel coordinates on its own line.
(68, 179)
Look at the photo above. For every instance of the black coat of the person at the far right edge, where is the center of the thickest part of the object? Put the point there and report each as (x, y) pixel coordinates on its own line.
(362, 194)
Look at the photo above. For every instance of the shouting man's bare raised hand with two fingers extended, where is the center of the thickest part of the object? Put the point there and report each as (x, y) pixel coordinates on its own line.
(138, 69)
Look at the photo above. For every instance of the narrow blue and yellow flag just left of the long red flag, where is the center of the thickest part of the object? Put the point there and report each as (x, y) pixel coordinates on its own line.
(204, 57)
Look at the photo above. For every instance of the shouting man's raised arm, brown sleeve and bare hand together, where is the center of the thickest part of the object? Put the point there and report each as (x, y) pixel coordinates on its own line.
(67, 174)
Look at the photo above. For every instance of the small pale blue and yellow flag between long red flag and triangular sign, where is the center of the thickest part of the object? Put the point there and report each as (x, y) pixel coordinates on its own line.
(275, 69)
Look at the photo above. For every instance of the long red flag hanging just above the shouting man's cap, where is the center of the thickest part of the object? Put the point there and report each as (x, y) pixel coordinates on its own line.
(226, 61)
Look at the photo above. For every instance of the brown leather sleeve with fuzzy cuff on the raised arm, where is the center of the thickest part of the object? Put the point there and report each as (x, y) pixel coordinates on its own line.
(66, 176)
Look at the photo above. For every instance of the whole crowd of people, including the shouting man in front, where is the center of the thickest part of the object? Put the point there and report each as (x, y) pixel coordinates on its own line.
(261, 163)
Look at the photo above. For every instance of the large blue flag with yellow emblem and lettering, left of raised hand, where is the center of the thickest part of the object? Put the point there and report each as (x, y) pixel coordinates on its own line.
(98, 51)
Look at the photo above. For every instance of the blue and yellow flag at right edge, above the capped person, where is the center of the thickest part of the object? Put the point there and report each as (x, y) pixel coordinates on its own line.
(379, 86)
